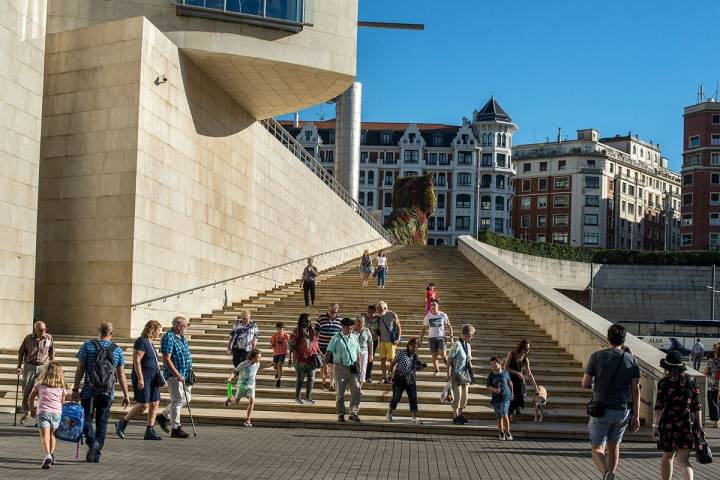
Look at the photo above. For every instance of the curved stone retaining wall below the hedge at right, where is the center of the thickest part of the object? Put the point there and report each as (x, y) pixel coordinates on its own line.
(626, 293)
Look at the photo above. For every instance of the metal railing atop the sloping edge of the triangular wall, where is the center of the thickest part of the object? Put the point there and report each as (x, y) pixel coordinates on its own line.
(275, 128)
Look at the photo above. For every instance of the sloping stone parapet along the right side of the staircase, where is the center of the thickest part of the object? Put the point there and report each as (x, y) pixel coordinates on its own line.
(577, 329)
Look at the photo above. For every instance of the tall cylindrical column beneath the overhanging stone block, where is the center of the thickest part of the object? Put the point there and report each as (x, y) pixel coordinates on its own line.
(347, 138)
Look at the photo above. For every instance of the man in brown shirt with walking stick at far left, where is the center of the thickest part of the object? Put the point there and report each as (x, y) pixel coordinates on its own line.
(36, 350)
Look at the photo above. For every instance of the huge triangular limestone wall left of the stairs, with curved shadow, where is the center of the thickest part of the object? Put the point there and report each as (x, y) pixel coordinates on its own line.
(147, 190)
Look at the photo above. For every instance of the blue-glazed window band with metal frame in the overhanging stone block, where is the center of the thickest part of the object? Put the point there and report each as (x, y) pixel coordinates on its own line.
(281, 15)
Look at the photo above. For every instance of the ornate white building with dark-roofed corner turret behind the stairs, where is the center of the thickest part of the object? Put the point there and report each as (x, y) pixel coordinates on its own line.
(471, 166)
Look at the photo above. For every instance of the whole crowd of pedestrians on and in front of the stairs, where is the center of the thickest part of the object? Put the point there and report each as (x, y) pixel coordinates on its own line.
(343, 349)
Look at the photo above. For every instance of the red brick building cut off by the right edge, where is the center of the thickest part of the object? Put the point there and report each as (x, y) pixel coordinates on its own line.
(701, 177)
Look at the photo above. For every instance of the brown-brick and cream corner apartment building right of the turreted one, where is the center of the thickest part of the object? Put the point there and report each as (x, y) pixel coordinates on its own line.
(615, 192)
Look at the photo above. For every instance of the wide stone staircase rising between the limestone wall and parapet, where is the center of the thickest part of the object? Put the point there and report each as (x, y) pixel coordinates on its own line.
(466, 296)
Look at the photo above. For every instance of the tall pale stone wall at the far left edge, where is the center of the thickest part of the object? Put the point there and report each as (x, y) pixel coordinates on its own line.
(22, 46)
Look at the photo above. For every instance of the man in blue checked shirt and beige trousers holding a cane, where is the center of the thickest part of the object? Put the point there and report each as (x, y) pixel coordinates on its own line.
(177, 362)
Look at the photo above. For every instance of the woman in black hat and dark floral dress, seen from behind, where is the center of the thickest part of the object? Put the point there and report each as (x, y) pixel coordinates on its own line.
(677, 398)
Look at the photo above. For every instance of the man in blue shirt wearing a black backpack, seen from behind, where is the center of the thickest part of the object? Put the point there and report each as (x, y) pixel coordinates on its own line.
(96, 399)
